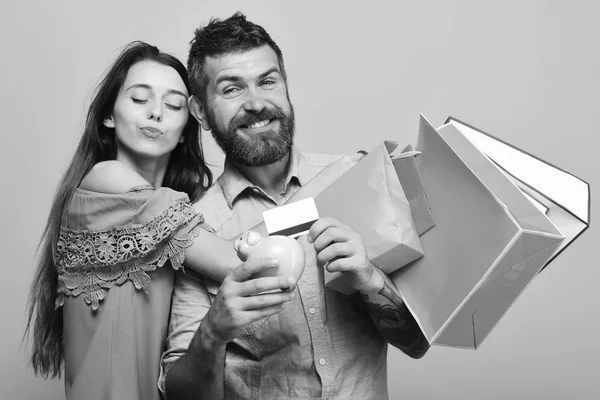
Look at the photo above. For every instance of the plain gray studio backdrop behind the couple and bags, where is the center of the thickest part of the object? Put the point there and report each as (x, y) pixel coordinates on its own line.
(359, 73)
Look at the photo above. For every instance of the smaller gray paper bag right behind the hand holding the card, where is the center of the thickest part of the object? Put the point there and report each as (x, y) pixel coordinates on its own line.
(370, 200)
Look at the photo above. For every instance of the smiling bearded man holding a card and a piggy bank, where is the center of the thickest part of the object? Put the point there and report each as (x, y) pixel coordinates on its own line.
(242, 339)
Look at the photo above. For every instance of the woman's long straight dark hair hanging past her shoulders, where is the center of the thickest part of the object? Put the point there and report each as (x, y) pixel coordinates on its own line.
(186, 172)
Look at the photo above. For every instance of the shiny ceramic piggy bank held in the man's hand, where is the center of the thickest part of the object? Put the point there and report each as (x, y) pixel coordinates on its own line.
(287, 250)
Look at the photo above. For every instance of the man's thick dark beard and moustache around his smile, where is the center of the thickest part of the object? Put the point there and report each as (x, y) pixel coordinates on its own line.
(257, 149)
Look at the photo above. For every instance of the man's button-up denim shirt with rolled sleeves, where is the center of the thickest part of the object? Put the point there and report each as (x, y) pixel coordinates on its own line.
(323, 345)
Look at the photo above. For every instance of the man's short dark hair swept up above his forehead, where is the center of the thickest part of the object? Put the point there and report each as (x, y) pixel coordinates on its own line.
(232, 35)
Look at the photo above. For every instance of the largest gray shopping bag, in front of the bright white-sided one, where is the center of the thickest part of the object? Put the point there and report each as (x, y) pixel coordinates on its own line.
(491, 237)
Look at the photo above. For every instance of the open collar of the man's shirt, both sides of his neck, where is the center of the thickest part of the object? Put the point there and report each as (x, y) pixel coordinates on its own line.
(233, 182)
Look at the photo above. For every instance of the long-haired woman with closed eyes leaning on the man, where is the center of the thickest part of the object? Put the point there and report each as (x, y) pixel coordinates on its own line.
(121, 221)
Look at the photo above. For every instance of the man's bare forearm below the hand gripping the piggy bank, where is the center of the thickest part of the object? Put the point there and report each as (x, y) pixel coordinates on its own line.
(199, 373)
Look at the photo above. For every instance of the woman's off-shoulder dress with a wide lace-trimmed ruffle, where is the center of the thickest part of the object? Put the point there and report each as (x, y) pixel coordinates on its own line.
(115, 260)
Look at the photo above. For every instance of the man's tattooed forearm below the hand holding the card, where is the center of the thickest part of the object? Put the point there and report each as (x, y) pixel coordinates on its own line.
(393, 320)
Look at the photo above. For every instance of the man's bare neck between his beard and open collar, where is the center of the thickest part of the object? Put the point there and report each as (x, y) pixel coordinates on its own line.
(270, 178)
